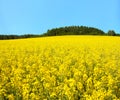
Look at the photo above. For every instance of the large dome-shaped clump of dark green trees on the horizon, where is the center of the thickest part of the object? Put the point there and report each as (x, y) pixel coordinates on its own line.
(74, 30)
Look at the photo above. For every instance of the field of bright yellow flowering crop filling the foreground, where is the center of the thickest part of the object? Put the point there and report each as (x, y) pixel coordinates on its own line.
(63, 67)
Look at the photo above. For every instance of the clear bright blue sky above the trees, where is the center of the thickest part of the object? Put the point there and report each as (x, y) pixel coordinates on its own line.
(37, 16)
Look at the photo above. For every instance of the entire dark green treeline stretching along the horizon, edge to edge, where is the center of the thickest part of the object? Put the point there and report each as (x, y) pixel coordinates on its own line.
(67, 30)
